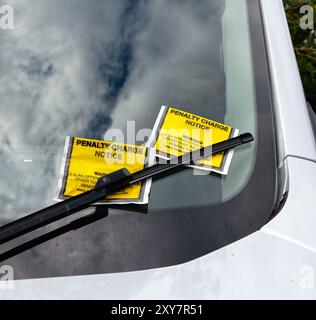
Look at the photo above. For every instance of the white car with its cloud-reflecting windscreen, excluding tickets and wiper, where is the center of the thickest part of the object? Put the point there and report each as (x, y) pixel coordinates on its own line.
(80, 68)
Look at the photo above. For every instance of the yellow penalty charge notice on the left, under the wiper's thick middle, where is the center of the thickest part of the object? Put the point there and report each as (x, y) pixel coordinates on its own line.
(86, 160)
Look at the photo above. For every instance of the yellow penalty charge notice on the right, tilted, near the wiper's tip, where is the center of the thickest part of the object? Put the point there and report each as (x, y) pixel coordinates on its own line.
(177, 132)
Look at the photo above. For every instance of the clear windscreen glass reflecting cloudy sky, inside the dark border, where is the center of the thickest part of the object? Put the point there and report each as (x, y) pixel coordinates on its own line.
(79, 68)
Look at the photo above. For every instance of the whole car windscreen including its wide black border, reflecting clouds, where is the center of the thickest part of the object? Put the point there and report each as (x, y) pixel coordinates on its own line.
(80, 68)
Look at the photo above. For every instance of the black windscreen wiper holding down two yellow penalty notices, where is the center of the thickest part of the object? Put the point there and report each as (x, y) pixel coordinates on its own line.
(108, 184)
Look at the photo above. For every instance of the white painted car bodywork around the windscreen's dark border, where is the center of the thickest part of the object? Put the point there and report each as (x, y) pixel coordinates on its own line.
(278, 261)
